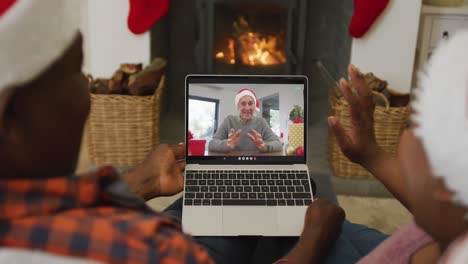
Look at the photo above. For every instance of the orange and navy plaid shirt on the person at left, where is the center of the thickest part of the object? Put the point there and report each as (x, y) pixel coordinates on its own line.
(93, 216)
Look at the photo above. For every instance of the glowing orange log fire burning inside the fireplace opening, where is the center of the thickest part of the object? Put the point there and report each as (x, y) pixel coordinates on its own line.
(250, 36)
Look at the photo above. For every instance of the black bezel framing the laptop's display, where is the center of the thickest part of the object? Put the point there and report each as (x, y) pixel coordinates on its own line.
(247, 79)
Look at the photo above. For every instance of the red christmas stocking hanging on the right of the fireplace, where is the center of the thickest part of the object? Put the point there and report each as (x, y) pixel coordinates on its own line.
(365, 13)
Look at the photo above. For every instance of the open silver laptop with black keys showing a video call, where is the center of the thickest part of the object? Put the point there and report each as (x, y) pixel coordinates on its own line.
(251, 190)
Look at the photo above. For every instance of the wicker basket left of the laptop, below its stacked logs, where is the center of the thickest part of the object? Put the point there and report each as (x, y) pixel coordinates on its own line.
(123, 129)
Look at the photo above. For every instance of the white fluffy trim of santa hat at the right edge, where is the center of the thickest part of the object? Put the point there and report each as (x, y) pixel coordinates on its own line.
(441, 113)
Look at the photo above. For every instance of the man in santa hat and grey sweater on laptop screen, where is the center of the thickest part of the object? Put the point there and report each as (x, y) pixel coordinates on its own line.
(245, 132)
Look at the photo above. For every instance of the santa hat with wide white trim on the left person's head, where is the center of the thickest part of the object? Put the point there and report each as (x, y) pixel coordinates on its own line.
(34, 34)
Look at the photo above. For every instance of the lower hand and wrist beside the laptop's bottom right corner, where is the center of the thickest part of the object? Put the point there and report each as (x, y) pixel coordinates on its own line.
(322, 226)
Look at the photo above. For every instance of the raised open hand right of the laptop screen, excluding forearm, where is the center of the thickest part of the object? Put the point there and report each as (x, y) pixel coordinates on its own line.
(359, 143)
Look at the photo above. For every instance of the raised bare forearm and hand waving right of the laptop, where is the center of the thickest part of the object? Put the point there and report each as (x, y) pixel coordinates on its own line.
(359, 143)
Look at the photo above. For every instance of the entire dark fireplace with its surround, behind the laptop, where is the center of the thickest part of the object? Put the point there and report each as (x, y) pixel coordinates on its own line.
(194, 32)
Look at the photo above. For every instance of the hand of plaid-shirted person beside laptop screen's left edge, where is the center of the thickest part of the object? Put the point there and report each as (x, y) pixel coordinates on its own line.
(161, 174)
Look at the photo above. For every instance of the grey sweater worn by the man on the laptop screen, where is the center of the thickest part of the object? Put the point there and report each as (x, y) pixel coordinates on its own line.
(219, 141)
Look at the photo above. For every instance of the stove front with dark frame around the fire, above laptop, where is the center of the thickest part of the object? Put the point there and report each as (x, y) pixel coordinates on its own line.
(250, 37)
